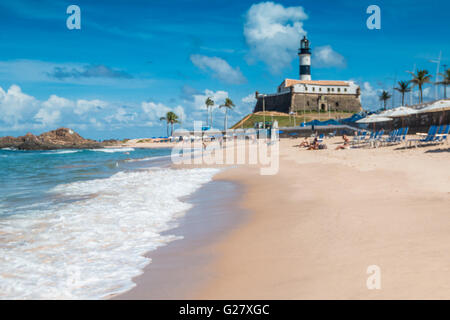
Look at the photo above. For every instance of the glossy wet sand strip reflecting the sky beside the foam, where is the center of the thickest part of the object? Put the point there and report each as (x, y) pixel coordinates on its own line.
(180, 267)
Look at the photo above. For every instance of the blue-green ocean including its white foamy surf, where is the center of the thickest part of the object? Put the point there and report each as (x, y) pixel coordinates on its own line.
(76, 224)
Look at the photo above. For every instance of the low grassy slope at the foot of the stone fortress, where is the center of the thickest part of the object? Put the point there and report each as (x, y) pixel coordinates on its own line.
(284, 120)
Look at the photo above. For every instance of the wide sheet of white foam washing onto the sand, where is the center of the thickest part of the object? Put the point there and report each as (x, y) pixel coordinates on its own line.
(93, 248)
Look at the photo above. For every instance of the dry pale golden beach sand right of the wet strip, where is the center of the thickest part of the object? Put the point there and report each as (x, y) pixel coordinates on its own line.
(314, 228)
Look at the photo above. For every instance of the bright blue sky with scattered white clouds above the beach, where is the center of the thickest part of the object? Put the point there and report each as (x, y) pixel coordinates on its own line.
(133, 61)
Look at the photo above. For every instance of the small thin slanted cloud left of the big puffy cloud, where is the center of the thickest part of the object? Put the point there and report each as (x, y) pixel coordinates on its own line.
(218, 68)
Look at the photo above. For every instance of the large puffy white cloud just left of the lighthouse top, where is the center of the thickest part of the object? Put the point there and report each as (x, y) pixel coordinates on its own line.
(273, 33)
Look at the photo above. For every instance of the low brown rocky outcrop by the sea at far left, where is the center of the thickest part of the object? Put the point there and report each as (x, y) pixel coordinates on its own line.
(62, 138)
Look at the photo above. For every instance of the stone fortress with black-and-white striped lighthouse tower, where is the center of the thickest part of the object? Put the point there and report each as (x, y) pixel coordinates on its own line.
(310, 95)
